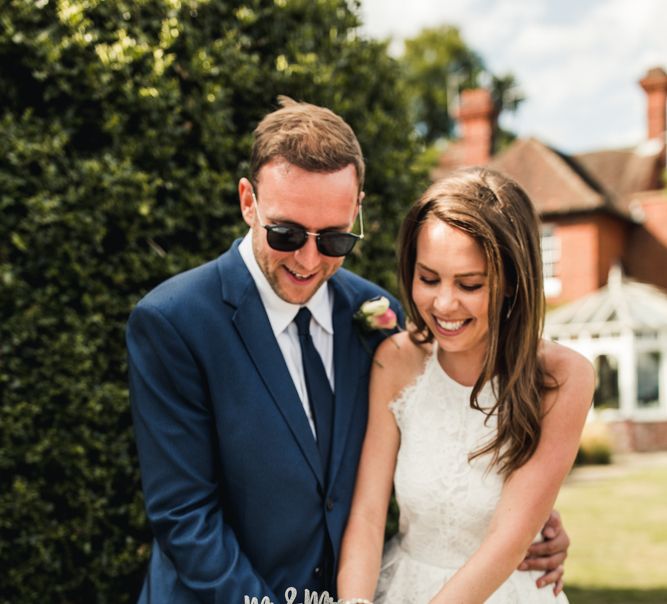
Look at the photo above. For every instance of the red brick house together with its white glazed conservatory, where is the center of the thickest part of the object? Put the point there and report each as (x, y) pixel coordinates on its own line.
(602, 213)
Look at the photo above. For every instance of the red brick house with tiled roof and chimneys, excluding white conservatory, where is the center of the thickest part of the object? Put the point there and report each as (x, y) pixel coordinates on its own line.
(597, 209)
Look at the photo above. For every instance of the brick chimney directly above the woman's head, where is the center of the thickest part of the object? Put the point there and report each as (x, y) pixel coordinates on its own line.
(477, 120)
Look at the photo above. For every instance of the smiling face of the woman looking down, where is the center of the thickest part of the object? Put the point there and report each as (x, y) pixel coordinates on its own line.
(451, 289)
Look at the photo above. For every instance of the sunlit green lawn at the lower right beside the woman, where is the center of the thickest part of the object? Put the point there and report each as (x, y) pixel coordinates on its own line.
(616, 517)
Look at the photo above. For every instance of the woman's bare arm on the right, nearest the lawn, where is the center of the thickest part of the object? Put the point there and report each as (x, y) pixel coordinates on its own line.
(530, 492)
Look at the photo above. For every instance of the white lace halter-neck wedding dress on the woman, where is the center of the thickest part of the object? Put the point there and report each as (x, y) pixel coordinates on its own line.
(446, 502)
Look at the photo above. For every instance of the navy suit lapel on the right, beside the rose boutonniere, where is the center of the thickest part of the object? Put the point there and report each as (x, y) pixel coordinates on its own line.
(347, 365)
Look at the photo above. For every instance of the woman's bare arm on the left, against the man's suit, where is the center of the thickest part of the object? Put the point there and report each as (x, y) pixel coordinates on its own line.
(361, 550)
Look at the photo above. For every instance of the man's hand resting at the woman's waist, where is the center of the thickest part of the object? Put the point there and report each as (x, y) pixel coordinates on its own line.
(550, 554)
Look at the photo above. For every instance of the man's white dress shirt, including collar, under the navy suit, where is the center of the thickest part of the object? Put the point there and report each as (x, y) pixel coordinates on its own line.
(281, 316)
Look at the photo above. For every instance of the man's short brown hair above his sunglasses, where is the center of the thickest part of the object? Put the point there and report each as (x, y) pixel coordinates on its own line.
(310, 137)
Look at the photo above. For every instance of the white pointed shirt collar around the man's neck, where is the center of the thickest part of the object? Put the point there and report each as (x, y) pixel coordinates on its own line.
(280, 312)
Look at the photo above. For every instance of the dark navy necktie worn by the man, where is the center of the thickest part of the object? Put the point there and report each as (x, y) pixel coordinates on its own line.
(320, 395)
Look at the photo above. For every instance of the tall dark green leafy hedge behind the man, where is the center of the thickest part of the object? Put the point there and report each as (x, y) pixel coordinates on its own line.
(124, 128)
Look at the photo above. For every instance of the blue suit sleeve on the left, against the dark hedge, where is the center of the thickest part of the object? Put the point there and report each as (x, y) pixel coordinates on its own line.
(176, 441)
